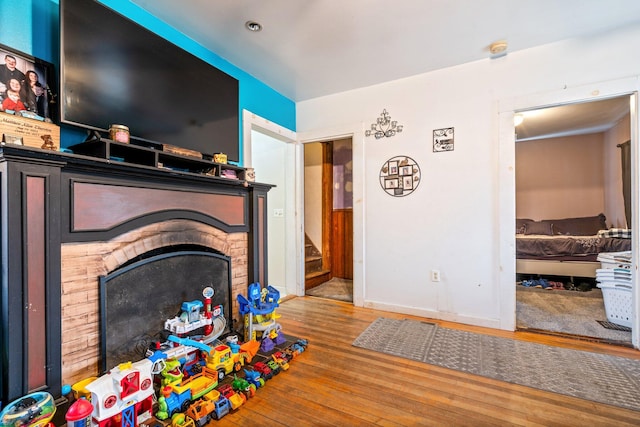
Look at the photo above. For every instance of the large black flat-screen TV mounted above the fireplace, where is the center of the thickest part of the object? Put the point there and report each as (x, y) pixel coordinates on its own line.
(114, 71)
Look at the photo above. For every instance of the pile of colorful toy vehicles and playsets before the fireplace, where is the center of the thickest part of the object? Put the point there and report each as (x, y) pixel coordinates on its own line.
(184, 381)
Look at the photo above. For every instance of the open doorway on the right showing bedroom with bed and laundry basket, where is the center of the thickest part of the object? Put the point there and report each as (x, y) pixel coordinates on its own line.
(573, 217)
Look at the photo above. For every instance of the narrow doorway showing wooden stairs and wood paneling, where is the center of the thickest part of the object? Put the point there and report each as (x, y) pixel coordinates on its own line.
(328, 219)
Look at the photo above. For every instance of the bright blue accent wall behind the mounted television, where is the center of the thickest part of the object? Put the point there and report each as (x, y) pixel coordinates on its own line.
(32, 27)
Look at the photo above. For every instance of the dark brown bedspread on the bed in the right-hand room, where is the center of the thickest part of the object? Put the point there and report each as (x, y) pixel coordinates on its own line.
(567, 248)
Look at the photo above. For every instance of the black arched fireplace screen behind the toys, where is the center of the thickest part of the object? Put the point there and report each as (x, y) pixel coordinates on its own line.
(136, 300)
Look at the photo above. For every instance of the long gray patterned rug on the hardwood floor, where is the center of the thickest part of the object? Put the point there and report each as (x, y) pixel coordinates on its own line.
(591, 376)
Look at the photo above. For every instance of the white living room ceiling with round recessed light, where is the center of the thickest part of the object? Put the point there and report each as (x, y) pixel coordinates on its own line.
(312, 48)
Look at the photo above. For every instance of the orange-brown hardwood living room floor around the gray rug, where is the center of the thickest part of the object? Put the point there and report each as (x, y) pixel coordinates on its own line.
(336, 384)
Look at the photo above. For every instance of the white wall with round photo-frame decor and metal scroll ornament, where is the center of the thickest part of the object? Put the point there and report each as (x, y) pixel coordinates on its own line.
(450, 222)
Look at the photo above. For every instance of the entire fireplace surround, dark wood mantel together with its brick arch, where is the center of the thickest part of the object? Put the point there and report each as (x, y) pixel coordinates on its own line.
(68, 219)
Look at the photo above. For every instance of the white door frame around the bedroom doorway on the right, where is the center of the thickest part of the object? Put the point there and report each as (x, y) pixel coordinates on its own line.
(506, 179)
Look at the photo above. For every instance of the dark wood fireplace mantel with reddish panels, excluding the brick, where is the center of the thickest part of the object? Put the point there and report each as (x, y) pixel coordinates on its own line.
(50, 199)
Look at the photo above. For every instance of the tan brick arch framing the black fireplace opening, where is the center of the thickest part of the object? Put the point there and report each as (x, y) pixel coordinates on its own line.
(83, 263)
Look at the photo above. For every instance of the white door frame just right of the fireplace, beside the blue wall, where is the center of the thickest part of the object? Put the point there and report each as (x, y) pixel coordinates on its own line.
(252, 122)
